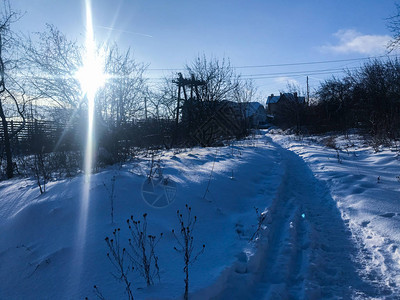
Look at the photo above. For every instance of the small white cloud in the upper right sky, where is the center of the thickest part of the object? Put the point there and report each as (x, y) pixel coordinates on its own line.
(352, 41)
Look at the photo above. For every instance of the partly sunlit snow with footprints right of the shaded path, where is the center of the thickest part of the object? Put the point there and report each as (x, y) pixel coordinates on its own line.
(365, 187)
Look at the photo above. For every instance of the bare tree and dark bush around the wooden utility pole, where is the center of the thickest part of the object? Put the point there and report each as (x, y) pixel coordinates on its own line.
(204, 92)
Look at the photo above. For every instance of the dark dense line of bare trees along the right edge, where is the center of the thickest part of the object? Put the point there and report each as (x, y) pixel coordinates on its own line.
(367, 98)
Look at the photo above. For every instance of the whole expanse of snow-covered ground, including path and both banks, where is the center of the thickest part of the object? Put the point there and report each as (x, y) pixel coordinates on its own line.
(331, 224)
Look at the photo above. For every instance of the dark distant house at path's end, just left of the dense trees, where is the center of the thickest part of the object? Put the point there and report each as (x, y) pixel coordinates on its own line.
(275, 104)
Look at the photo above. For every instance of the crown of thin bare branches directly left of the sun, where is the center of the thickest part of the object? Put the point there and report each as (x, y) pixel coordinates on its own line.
(52, 61)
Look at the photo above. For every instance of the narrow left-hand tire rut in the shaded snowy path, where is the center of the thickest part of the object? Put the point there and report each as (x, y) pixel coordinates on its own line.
(283, 260)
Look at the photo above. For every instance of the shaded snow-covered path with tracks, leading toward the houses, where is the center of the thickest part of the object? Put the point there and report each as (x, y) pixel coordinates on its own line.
(307, 251)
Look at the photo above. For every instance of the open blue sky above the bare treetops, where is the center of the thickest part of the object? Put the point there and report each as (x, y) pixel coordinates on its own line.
(168, 34)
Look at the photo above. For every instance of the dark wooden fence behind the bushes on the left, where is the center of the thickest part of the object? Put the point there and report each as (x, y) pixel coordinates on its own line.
(49, 136)
